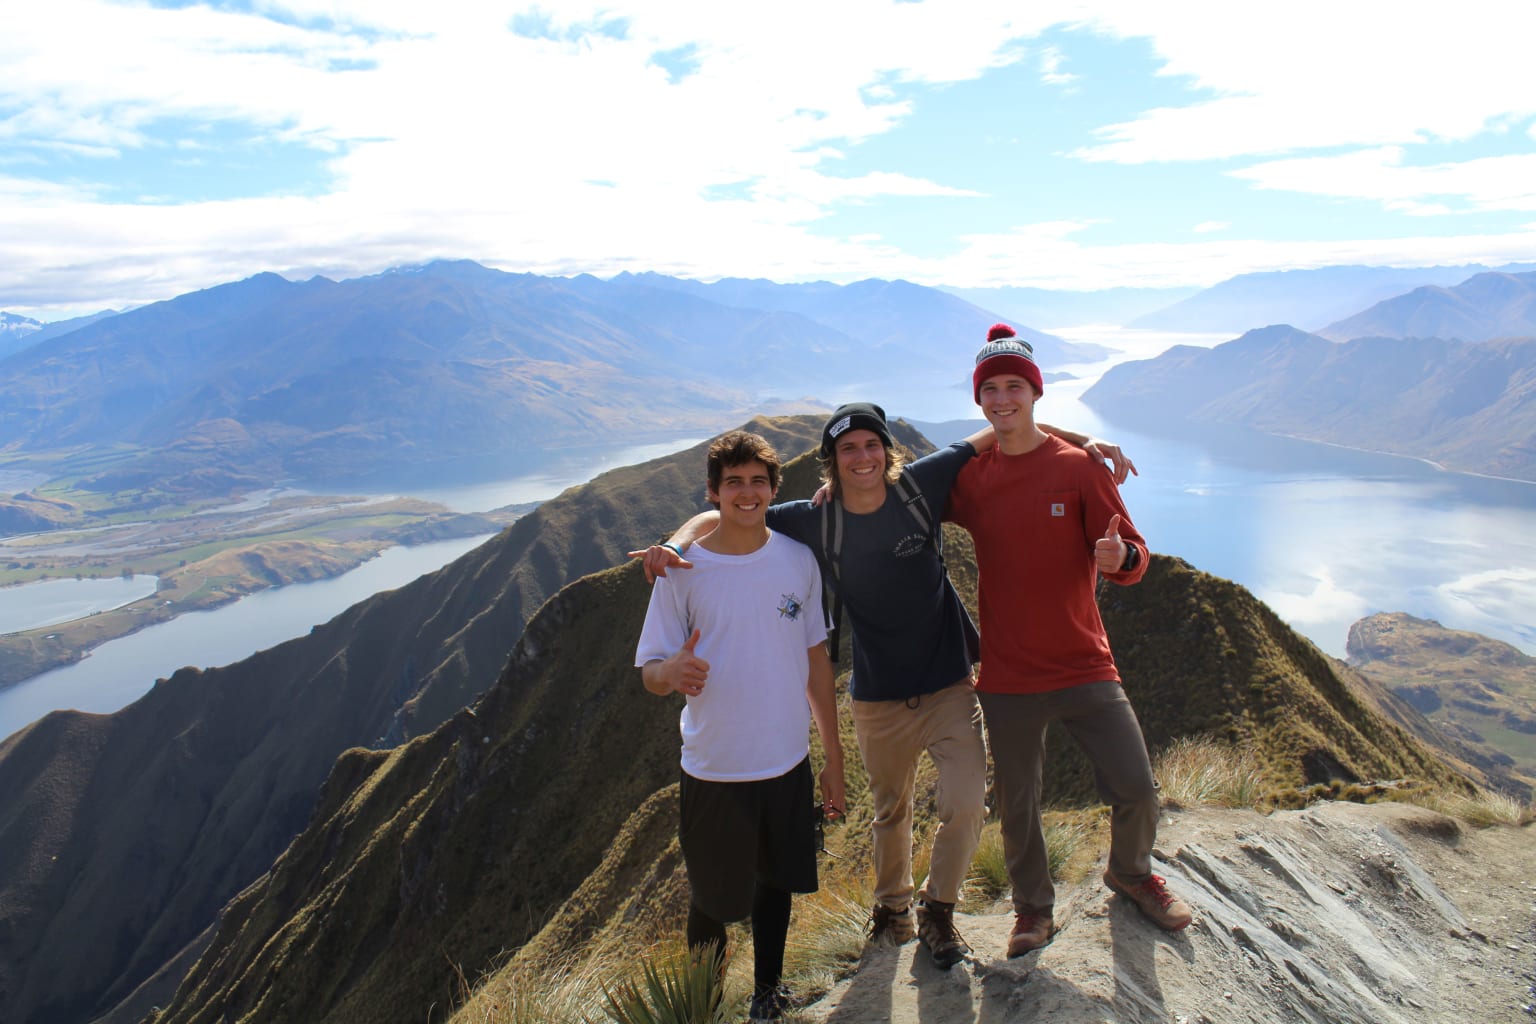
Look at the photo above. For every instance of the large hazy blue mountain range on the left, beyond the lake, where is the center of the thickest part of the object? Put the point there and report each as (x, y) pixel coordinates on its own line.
(268, 380)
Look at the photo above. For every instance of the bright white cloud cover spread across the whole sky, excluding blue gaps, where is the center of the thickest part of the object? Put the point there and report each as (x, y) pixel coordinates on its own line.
(443, 133)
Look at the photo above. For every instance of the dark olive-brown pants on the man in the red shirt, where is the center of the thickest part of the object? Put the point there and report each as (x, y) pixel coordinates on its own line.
(1105, 725)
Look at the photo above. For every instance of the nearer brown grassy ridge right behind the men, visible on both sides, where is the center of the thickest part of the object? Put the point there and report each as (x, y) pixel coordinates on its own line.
(449, 853)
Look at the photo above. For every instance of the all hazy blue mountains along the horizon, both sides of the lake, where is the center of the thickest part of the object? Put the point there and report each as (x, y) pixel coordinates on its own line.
(454, 368)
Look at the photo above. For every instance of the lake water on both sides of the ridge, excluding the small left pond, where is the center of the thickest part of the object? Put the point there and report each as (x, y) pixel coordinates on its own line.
(1323, 535)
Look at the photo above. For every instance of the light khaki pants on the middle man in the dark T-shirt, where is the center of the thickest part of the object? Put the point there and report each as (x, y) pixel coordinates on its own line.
(892, 738)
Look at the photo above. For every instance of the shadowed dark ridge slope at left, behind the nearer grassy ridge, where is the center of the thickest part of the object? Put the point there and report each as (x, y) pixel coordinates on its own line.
(131, 831)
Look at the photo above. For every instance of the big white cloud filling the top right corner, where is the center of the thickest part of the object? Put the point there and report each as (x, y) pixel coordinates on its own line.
(1320, 74)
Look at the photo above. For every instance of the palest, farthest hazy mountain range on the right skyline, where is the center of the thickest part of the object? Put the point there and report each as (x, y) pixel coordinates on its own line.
(1309, 299)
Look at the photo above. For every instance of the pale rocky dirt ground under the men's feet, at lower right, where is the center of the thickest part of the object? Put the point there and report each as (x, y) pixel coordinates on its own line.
(1342, 914)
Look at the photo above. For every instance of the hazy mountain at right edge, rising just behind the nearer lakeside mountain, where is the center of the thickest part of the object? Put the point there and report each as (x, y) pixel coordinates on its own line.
(1480, 309)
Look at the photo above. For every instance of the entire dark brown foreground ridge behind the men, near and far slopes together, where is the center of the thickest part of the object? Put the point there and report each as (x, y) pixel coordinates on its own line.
(331, 830)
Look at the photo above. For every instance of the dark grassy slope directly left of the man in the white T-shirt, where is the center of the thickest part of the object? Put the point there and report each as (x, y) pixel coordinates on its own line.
(458, 845)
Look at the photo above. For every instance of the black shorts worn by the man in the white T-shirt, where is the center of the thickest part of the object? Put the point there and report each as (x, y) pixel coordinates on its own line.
(738, 834)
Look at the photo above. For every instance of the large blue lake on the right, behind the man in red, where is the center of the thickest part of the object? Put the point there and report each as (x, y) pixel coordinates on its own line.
(1323, 535)
